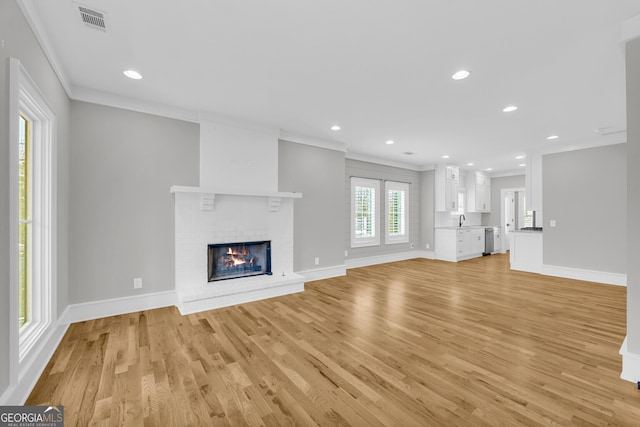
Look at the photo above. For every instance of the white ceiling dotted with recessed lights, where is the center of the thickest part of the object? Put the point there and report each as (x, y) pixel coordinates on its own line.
(380, 69)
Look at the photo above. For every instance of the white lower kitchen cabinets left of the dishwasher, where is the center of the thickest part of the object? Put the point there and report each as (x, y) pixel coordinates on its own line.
(457, 244)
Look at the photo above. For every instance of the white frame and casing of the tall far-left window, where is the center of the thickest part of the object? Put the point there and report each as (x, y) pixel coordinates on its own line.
(26, 99)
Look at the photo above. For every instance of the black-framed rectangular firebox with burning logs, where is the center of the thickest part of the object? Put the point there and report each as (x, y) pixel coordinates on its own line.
(242, 259)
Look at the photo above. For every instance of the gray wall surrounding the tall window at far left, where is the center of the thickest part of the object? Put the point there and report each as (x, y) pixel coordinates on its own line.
(20, 43)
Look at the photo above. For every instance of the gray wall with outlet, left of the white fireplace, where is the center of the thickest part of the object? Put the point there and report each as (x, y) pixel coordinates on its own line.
(122, 166)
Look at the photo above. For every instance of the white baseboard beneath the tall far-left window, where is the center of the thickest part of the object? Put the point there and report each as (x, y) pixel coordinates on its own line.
(32, 367)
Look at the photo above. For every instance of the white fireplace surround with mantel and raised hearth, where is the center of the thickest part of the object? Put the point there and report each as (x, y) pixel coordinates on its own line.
(205, 216)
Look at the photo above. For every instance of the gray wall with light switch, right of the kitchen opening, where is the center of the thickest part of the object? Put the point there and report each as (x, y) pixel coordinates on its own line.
(585, 192)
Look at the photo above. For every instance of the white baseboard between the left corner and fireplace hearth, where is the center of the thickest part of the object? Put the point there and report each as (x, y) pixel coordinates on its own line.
(113, 307)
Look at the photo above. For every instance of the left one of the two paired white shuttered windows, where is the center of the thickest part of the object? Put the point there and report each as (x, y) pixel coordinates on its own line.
(365, 212)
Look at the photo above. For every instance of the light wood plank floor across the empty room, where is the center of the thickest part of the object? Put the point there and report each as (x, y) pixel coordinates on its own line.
(412, 343)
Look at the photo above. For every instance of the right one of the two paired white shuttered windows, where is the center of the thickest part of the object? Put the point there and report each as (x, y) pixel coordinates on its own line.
(397, 204)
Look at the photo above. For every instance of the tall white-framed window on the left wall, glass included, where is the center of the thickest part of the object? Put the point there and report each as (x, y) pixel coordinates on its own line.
(33, 230)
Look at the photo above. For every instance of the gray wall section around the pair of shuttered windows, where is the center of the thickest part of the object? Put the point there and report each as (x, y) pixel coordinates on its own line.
(382, 172)
